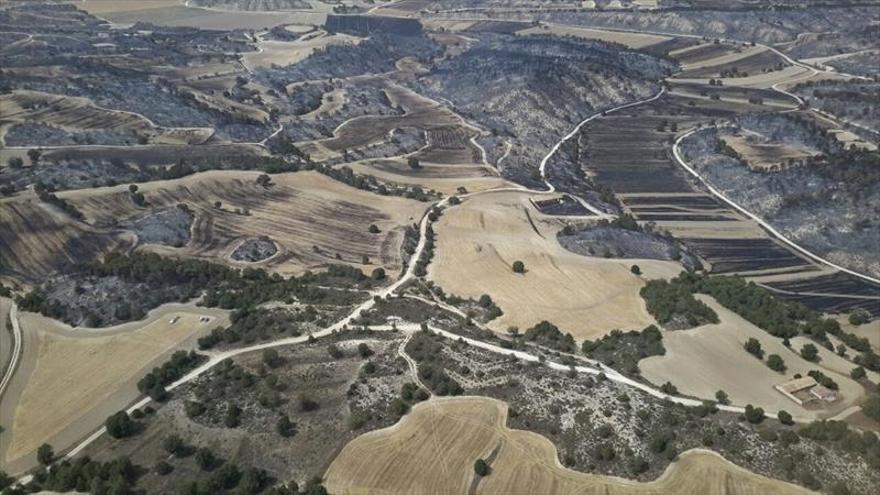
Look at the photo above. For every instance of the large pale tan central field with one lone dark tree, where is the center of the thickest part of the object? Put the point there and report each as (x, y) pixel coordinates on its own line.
(479, 241)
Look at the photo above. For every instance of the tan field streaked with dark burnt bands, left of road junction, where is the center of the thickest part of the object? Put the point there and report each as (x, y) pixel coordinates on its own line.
(309, 216)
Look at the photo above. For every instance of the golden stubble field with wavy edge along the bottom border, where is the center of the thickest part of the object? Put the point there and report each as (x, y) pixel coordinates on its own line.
(432, 450)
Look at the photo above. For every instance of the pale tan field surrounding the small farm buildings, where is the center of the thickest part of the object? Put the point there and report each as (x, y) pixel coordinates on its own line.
(705, 359)
